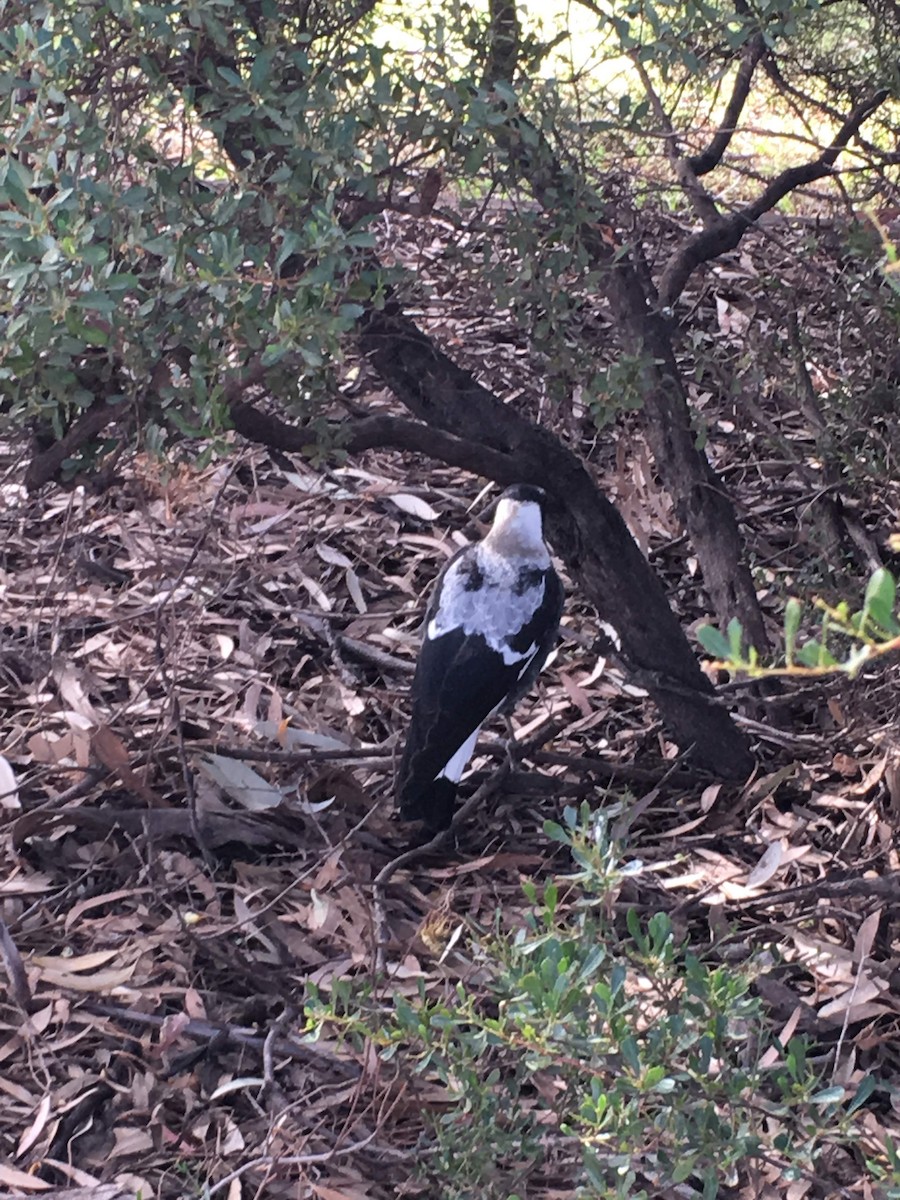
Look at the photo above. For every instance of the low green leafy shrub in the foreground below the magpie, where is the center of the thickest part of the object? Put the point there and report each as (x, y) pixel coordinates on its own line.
(604, 1042)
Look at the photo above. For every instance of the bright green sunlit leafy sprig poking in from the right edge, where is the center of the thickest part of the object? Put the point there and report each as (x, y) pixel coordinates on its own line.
(845, 640)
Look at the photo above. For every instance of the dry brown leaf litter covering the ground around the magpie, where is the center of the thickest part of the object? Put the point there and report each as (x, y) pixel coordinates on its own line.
(195, 802)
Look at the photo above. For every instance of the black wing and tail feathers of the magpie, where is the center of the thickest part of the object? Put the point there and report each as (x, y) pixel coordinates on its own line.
(459, 682)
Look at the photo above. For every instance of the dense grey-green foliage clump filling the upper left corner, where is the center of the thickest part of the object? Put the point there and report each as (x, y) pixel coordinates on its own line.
(171, 206)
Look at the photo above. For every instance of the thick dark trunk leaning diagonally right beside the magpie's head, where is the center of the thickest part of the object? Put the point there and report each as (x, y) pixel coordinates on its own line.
(584, 526)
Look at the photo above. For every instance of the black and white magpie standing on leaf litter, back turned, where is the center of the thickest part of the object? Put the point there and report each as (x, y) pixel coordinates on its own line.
(491, 625)
